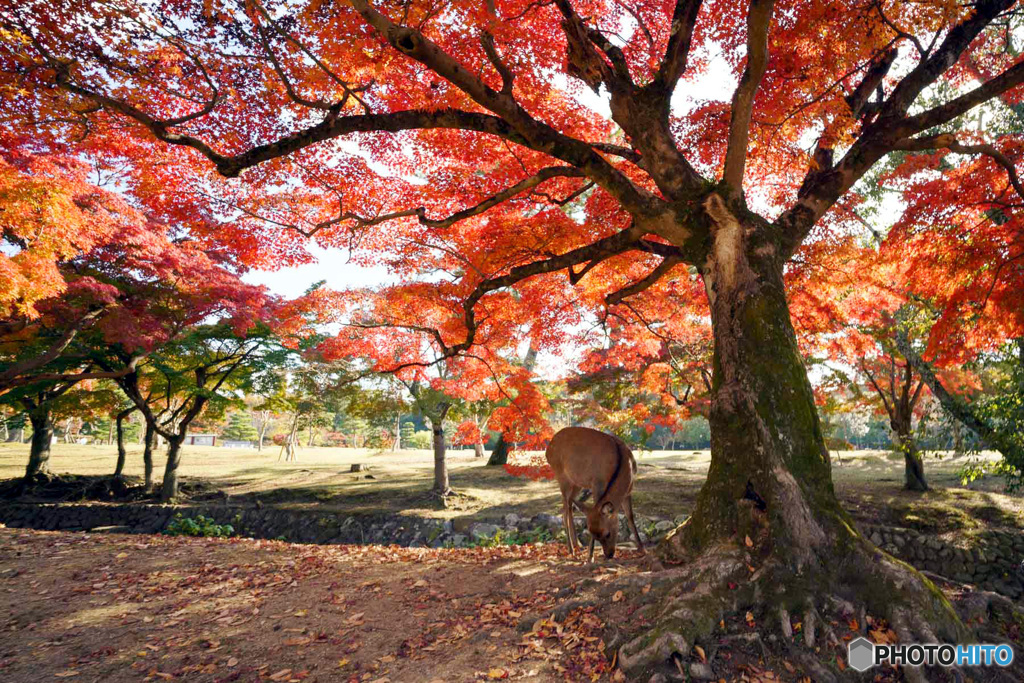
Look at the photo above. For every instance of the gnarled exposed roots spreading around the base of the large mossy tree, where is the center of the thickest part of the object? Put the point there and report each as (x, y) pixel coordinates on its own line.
(805, 620)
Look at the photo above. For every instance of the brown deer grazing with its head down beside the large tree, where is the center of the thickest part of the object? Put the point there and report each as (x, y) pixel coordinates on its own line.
(585, 458)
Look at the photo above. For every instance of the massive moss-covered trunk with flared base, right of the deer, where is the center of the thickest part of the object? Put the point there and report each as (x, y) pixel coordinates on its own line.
(769, 505)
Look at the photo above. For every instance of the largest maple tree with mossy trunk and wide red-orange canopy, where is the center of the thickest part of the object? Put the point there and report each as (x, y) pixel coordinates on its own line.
(450, 144)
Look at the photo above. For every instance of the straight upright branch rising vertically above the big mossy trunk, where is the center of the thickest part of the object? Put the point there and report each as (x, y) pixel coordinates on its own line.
(758, 21)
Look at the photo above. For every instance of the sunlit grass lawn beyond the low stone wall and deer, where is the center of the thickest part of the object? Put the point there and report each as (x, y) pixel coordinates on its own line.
(869, 483)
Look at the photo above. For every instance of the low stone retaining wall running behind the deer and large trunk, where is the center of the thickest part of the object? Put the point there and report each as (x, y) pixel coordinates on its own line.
(991, 560)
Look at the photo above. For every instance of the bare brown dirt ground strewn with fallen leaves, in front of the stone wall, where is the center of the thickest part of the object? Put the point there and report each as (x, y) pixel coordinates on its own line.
(106, 608)
